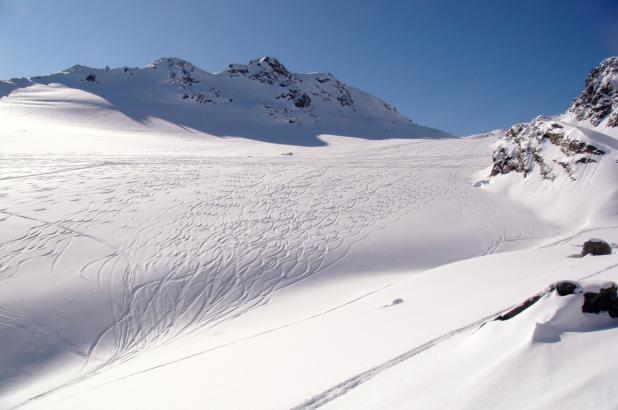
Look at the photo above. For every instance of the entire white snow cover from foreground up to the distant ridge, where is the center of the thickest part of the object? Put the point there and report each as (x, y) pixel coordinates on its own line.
(158, 251)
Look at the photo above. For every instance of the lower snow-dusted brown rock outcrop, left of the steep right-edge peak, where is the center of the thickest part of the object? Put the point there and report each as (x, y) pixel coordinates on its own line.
(522, 149)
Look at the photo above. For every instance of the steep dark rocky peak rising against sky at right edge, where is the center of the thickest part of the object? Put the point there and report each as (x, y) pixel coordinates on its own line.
(599, 100)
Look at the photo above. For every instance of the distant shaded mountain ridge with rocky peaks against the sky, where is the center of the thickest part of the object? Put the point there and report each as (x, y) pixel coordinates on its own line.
(260, 100)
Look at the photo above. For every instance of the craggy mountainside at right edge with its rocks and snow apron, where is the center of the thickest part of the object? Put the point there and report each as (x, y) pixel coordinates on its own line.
(565, 166)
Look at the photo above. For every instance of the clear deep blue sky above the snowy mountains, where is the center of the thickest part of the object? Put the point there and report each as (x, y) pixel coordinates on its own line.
(463, 66)
